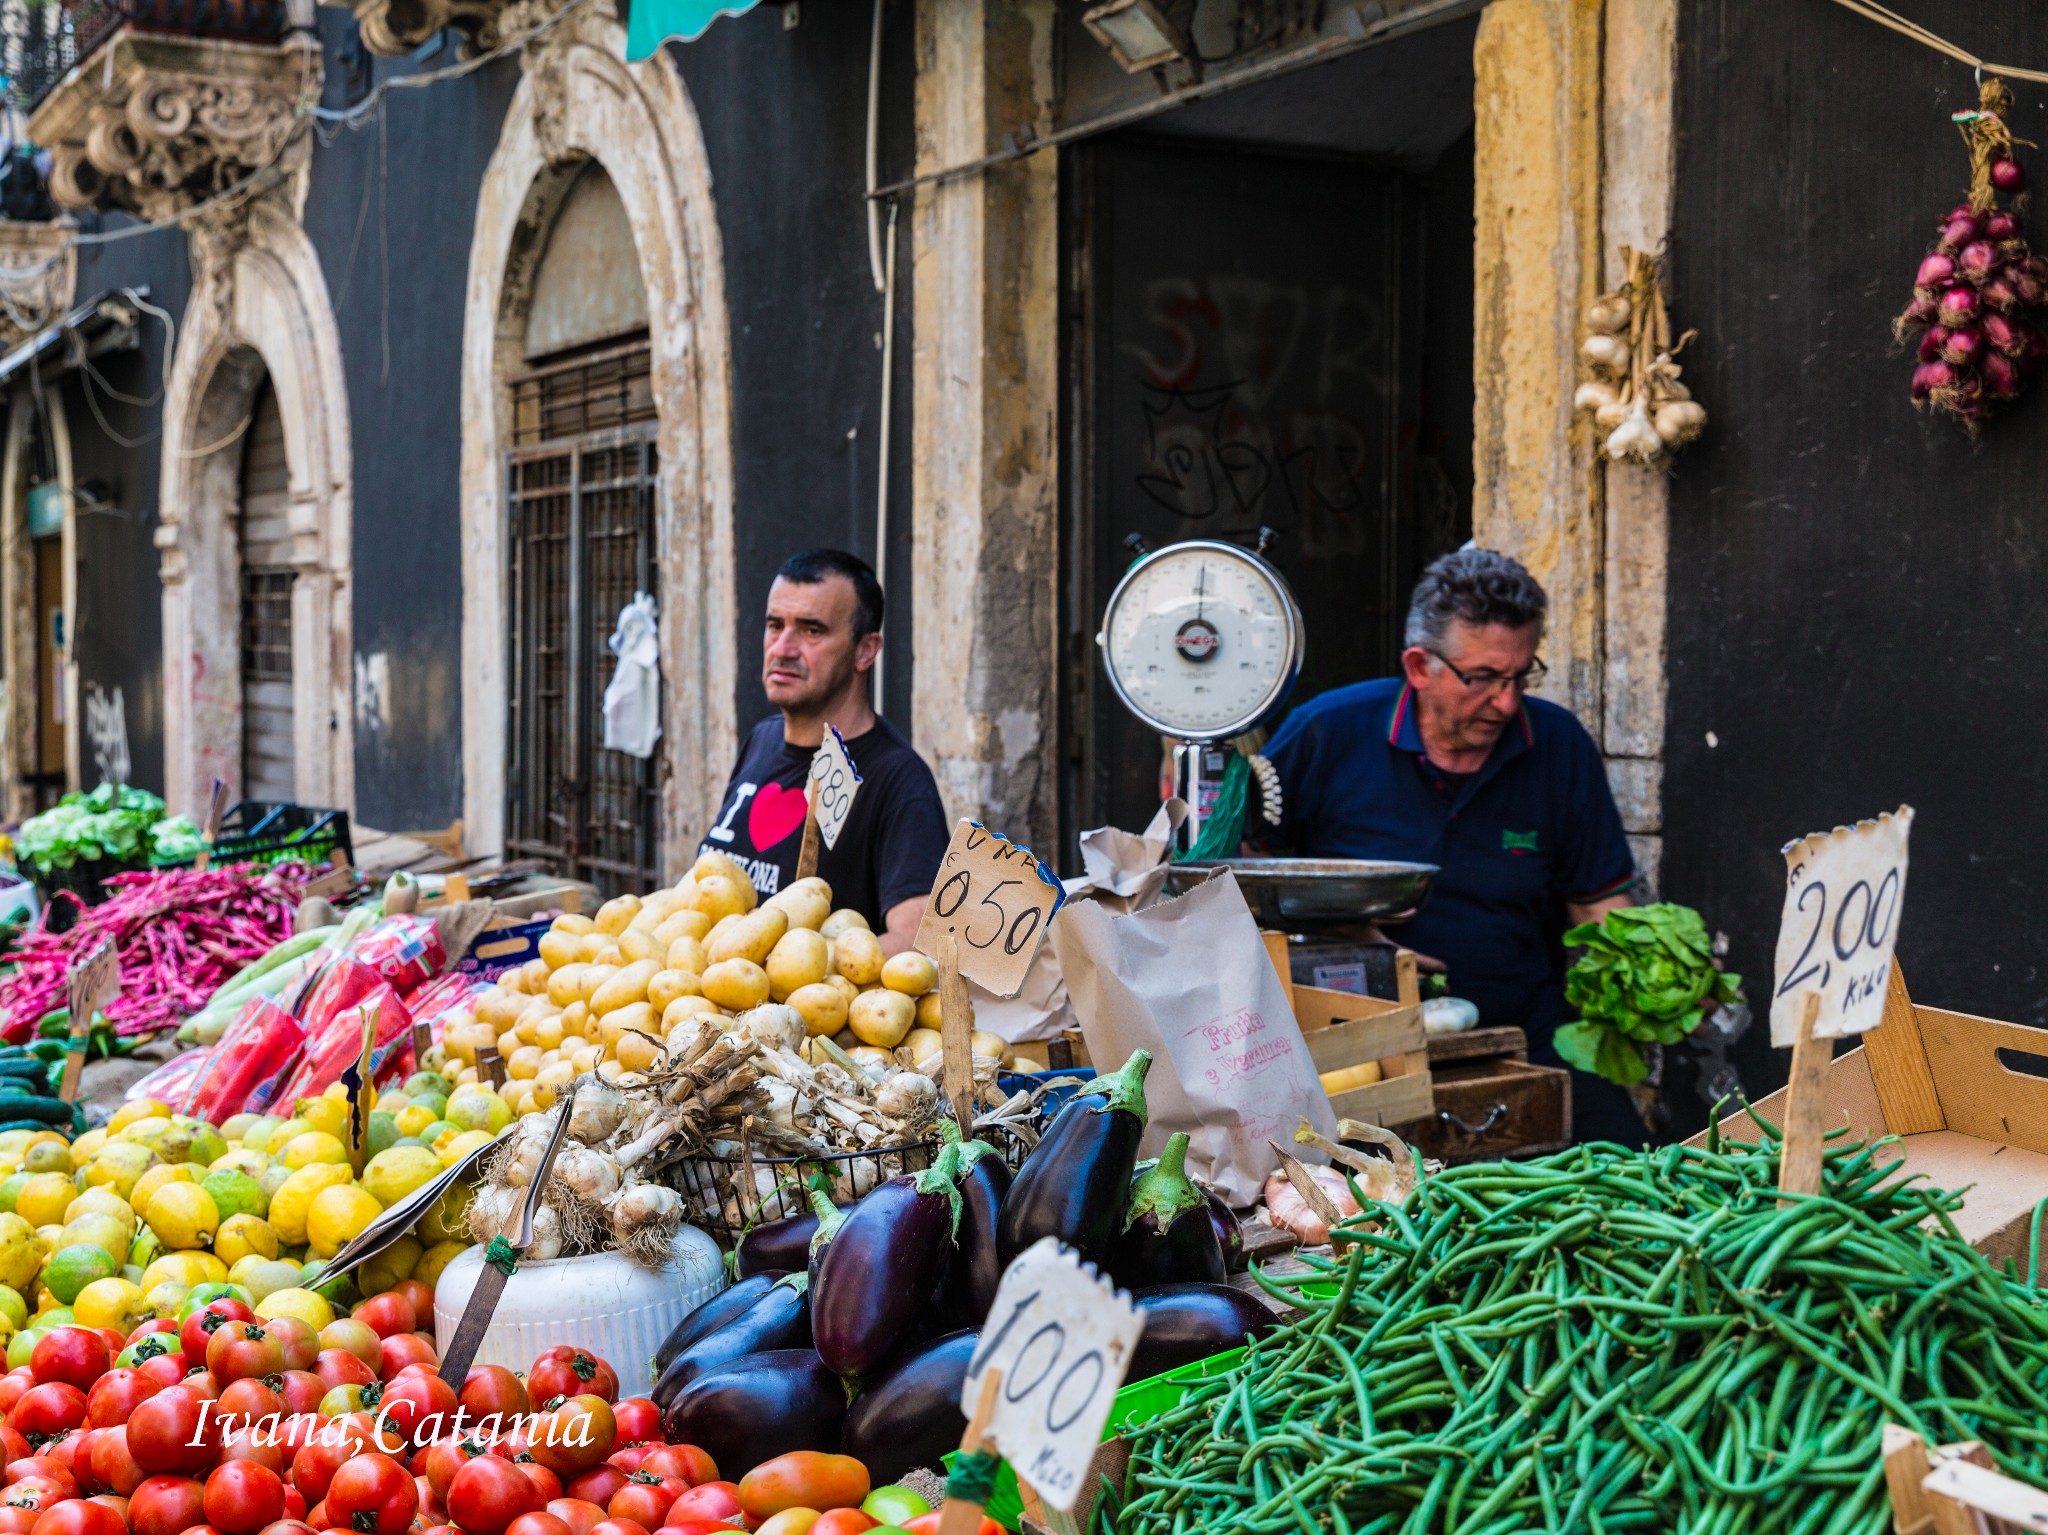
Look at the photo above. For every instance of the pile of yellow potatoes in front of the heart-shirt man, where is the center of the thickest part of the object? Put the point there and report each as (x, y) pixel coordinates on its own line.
(611, 994)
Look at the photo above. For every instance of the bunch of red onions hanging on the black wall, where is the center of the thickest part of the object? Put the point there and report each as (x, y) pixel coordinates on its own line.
(1979, 286)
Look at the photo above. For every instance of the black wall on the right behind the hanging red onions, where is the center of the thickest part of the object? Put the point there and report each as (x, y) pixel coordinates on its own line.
(1857, 590)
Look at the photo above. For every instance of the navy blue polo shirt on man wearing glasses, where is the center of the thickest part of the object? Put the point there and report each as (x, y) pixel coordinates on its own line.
(1517, 840)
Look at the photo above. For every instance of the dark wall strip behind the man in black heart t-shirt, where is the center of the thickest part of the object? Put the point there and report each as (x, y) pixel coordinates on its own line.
(785, 126)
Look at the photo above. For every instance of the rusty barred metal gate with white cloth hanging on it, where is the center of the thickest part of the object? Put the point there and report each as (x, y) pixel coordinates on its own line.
(583, 541)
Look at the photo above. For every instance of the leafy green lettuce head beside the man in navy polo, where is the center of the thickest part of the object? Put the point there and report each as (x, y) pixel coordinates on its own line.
(1646, 977)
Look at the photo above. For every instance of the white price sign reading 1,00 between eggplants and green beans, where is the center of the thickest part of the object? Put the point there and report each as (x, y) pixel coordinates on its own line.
(1062, 1342)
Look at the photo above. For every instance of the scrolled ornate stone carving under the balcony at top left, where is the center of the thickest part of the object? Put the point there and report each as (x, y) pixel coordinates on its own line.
(159, 124)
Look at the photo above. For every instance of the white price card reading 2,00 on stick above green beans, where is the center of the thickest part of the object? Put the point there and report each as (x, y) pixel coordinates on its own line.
(1844, 895)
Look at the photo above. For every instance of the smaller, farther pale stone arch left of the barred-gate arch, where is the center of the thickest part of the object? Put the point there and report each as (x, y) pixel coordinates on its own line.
(259, 308)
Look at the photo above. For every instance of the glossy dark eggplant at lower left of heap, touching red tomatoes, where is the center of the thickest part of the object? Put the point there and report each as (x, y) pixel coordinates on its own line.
(761, 1407)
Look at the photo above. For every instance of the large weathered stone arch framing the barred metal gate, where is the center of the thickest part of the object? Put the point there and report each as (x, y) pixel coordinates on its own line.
(583, 101)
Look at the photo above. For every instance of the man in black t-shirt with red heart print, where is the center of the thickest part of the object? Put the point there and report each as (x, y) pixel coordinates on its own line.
(824, 635)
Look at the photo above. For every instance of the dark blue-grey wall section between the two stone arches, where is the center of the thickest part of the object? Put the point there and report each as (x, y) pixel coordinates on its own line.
(392, 212)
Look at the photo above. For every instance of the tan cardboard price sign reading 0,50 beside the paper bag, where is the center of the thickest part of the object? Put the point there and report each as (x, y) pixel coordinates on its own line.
(996, 900)
